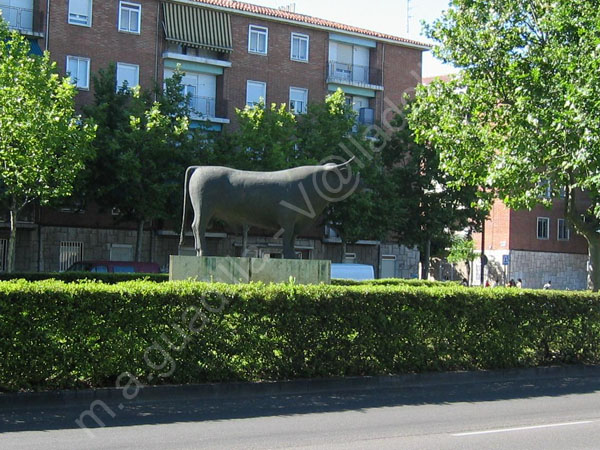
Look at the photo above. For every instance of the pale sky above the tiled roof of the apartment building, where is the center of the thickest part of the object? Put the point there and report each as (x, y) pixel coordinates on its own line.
(386, 16)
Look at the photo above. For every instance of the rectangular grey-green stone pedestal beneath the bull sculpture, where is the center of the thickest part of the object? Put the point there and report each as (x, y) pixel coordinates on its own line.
(244, 270)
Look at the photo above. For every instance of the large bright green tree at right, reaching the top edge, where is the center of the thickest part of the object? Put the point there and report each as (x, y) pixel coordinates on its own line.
(523, 113)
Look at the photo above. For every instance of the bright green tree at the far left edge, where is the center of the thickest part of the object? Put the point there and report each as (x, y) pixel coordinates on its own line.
(43, 144)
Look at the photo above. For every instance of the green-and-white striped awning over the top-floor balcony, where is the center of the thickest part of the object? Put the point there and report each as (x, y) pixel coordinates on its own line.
(197, 27)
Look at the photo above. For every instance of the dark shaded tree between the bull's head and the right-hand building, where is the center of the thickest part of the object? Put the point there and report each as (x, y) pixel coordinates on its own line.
(428, 207)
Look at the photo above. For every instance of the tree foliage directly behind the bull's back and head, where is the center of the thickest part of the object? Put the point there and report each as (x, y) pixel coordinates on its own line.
(273, 138)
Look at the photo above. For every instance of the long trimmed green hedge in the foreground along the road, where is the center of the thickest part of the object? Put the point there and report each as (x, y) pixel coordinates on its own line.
(59, 335)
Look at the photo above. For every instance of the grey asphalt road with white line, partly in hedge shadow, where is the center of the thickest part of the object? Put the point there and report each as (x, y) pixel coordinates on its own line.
(558, 413)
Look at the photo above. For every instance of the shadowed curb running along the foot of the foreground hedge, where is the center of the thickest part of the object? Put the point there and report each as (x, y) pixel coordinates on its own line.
(293, 387)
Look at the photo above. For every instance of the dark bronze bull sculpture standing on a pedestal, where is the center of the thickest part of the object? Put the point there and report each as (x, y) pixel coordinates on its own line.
(287, 200)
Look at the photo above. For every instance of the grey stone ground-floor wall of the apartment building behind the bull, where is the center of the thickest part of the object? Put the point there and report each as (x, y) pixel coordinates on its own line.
(158, 246)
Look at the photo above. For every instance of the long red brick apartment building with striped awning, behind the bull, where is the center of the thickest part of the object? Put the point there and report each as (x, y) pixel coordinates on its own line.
(232, 53)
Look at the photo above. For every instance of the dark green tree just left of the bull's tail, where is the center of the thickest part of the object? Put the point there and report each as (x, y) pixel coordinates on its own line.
(143, 149)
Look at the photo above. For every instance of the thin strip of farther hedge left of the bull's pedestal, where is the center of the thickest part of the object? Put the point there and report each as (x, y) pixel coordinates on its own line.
(70, 277)
